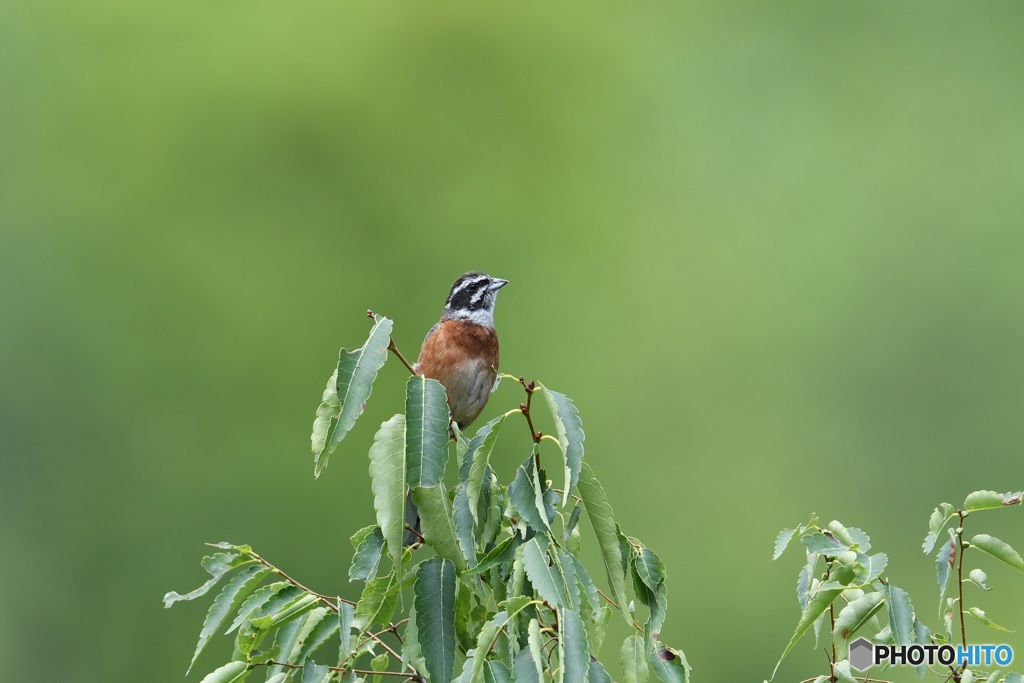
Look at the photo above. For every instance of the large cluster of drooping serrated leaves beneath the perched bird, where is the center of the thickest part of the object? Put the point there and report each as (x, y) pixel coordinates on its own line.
(499, 590)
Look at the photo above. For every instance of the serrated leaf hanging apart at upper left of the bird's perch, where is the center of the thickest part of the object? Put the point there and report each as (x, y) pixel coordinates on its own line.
(354, 380)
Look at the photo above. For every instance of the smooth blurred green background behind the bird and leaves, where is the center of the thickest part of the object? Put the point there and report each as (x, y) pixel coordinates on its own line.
(773, 250)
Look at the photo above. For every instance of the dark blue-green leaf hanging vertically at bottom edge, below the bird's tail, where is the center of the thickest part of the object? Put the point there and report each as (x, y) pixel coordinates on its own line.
(436, 597)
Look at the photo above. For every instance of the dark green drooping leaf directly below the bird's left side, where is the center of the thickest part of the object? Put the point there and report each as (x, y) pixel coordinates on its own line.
(426, 432)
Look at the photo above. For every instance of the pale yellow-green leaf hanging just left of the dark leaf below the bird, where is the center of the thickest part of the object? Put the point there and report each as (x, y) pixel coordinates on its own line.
(388, 480)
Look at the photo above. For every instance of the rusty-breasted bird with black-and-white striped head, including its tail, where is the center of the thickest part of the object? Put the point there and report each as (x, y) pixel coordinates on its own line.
(461, 352)
